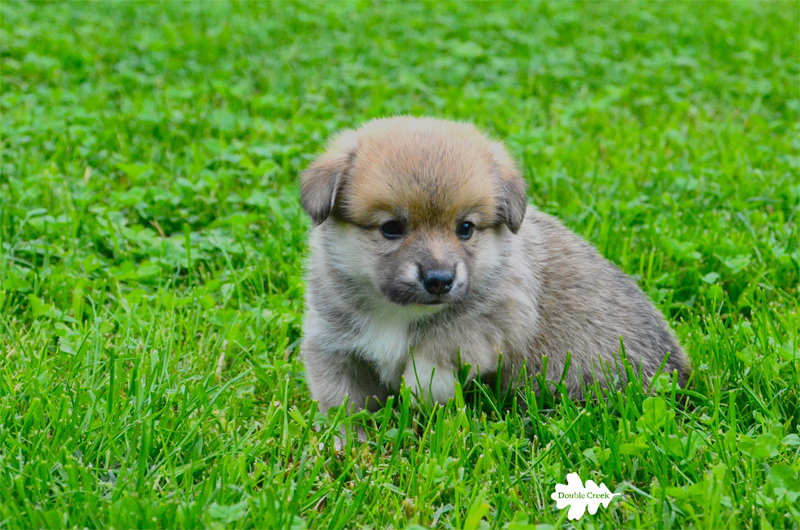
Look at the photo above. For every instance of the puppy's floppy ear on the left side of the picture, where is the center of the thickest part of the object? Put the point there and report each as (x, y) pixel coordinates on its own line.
(320, 182)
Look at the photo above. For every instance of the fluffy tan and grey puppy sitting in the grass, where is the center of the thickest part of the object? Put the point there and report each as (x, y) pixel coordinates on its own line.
(425, 253)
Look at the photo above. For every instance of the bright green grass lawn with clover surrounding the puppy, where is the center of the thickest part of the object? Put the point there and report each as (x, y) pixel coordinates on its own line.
(152, 241)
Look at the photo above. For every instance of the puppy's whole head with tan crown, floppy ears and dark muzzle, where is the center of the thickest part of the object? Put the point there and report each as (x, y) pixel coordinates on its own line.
(419, 209)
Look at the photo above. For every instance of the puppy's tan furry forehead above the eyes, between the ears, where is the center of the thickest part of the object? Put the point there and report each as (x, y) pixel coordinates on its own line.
(431, 171)
